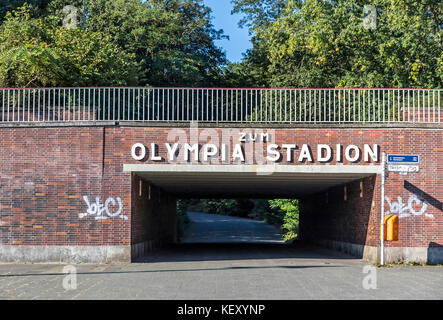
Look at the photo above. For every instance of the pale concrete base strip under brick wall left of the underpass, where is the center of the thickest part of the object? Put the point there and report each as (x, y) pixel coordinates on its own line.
(65, 254)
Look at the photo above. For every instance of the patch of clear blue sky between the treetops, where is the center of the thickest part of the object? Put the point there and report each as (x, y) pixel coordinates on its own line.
(239, 39)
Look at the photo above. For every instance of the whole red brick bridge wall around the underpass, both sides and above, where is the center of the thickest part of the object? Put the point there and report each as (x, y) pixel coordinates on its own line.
(45, 172)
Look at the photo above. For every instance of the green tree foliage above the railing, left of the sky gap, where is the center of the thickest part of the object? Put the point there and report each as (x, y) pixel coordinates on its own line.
(126, 42)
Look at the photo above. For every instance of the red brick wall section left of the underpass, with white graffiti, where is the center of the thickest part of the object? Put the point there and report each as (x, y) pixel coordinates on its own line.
(45, 172)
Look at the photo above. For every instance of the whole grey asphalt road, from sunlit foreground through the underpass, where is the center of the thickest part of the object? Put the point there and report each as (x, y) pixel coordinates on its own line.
(228, 266)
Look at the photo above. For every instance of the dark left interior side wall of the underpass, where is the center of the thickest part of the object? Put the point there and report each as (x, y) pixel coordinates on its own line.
(154, 218)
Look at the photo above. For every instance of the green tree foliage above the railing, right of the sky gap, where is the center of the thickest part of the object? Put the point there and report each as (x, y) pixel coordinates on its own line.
(322, 43)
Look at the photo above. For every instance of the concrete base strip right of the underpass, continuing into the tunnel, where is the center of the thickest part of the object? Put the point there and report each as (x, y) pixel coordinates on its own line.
(431, 255)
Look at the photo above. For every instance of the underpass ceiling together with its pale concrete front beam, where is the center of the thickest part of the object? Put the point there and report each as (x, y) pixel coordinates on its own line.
(242, 183)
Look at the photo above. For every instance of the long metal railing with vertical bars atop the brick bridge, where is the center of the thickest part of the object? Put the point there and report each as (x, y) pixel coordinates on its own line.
(221, 105)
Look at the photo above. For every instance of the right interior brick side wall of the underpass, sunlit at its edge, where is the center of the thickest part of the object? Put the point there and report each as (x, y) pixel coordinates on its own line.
(342, 217)
